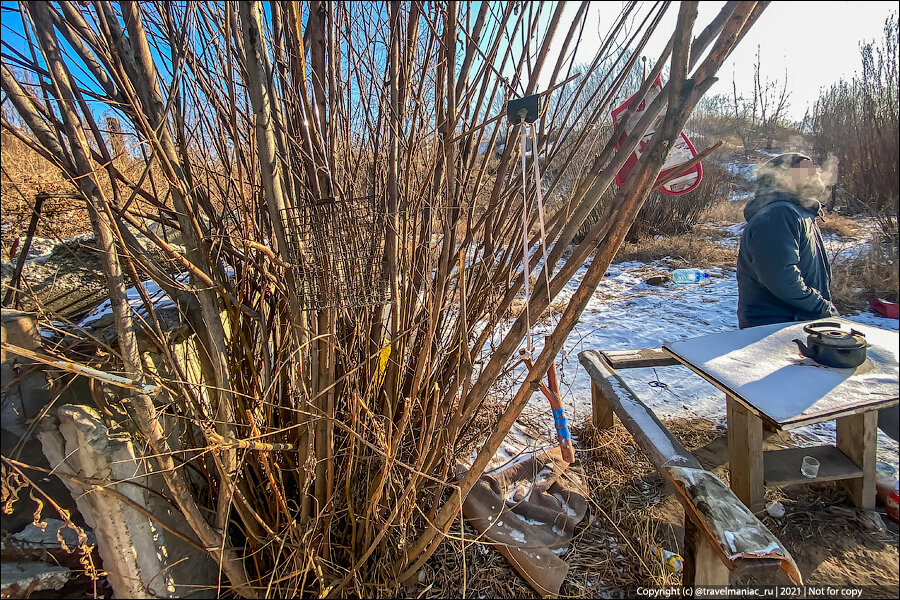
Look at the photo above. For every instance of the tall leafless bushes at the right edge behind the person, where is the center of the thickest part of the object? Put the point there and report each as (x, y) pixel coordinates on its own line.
(856, 122)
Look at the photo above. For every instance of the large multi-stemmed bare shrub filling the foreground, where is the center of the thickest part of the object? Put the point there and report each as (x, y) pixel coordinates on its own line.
(293, 149)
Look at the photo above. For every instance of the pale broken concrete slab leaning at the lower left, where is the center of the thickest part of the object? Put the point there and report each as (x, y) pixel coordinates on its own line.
(142, 558)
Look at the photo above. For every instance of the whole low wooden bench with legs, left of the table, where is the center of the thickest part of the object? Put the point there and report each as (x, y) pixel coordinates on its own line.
(721, 535)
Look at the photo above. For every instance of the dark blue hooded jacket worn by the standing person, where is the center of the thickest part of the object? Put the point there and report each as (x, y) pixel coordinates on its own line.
(782, 272)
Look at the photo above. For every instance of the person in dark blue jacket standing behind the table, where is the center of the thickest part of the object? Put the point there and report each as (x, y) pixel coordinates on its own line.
(783, 272)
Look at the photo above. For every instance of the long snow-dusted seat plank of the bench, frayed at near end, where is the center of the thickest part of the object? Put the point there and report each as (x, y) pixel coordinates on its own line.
(733, 534)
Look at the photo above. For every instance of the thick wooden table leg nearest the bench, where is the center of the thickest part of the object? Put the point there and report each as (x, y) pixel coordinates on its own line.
(745, 457)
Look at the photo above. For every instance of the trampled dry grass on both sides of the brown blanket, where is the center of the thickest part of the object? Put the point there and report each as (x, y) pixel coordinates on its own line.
(611, 556)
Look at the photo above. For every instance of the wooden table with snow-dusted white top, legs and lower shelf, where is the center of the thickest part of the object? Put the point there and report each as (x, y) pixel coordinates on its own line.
(765, 378)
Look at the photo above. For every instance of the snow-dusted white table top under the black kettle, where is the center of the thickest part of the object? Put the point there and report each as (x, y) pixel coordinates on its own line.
(762, 367)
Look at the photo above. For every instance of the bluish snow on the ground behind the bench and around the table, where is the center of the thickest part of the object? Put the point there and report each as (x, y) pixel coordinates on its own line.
(628, 314)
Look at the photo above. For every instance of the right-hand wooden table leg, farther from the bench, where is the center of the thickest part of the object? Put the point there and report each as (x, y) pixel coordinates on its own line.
(857, 438)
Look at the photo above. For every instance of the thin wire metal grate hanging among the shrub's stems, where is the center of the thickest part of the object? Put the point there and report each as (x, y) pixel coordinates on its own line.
(337, 248)
